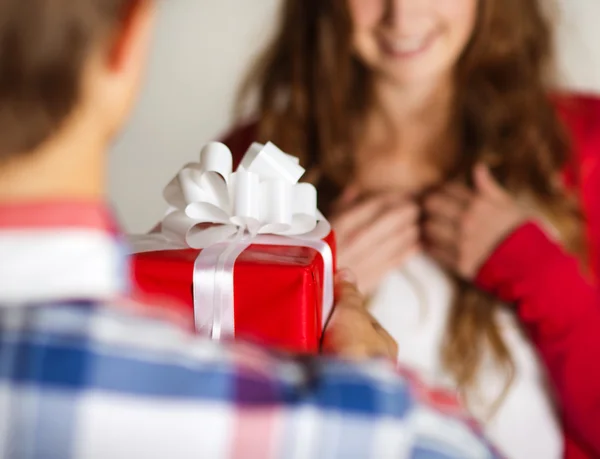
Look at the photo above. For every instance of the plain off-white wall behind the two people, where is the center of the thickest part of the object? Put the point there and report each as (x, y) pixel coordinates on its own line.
(202, 48)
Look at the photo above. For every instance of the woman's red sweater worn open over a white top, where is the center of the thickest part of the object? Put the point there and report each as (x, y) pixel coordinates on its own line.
(556, 301)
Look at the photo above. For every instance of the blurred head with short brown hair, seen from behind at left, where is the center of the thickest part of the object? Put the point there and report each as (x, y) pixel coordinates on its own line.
(68, 65)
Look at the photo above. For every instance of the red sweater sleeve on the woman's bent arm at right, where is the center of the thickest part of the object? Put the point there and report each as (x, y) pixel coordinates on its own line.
(561, 309)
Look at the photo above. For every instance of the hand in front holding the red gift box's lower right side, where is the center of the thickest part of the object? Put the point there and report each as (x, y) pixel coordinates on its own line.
(352, 333)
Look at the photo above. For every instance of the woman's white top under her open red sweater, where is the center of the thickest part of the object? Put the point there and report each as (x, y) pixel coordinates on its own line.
(413, 305)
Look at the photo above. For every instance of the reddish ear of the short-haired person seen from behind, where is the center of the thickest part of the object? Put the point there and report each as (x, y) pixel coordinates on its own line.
(131, 39)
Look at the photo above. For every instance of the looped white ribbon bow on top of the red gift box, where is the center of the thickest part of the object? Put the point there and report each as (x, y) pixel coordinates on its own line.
(210, 204)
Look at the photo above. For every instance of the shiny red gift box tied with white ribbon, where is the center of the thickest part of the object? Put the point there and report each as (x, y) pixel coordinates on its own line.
(278, 291)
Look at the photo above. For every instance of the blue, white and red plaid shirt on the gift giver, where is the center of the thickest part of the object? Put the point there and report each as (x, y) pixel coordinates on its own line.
(86, 373)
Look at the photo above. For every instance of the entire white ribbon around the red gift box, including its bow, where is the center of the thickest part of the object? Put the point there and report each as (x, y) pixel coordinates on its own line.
(224, 212)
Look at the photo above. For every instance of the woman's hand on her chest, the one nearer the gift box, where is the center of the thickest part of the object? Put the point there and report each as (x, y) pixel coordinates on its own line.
(375, 235)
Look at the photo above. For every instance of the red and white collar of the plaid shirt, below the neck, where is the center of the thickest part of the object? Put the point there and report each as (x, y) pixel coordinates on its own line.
(60, 250)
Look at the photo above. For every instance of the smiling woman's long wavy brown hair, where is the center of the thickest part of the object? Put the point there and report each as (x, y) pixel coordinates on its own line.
(312, 92)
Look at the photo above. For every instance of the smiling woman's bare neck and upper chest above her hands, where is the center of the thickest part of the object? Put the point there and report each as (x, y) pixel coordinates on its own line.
(408, 141)
